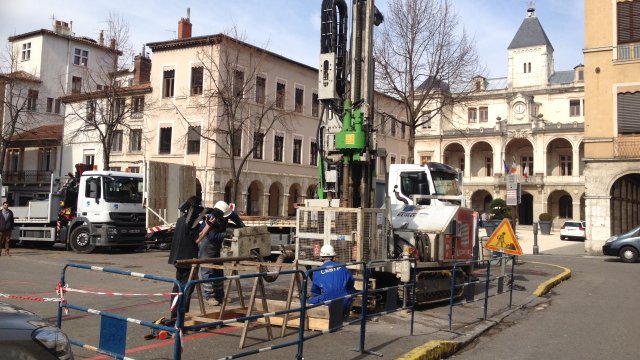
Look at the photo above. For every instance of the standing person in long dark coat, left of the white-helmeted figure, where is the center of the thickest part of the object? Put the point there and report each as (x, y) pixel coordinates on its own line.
(184, 246)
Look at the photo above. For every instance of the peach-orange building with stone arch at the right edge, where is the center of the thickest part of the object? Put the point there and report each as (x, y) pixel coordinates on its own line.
(612, 121)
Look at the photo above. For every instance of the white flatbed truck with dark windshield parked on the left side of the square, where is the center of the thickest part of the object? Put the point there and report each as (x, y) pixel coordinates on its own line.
(87, 210)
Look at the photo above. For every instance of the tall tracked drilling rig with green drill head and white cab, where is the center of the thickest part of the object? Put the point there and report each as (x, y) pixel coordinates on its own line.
(423, 218)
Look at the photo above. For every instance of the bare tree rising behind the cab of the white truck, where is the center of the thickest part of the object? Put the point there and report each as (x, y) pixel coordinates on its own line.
(107, 101)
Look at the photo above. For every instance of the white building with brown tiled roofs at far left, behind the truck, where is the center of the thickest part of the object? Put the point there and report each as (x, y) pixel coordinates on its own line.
(45, 66)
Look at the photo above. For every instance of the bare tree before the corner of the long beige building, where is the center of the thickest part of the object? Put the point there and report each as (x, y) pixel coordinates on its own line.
(237, 102)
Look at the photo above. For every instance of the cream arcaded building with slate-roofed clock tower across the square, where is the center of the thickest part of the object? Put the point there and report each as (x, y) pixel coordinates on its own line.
(529, 124)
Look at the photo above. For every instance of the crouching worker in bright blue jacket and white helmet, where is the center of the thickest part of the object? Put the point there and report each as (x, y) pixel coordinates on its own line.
(331, 282)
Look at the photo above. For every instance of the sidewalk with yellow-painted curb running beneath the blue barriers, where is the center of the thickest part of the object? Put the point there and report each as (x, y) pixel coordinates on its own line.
(389, 335)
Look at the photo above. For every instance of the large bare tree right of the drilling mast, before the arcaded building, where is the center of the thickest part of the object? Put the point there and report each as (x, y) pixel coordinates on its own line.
(425, 60)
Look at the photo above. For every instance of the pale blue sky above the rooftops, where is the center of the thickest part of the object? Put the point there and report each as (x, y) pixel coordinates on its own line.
(292, 27)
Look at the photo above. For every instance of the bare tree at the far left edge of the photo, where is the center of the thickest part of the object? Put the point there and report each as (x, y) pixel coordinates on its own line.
(18, 101)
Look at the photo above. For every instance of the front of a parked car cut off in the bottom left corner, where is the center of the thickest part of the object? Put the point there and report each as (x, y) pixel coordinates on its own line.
(25, 335)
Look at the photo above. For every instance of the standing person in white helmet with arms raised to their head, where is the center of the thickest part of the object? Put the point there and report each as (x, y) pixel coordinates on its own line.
(214, 231)
